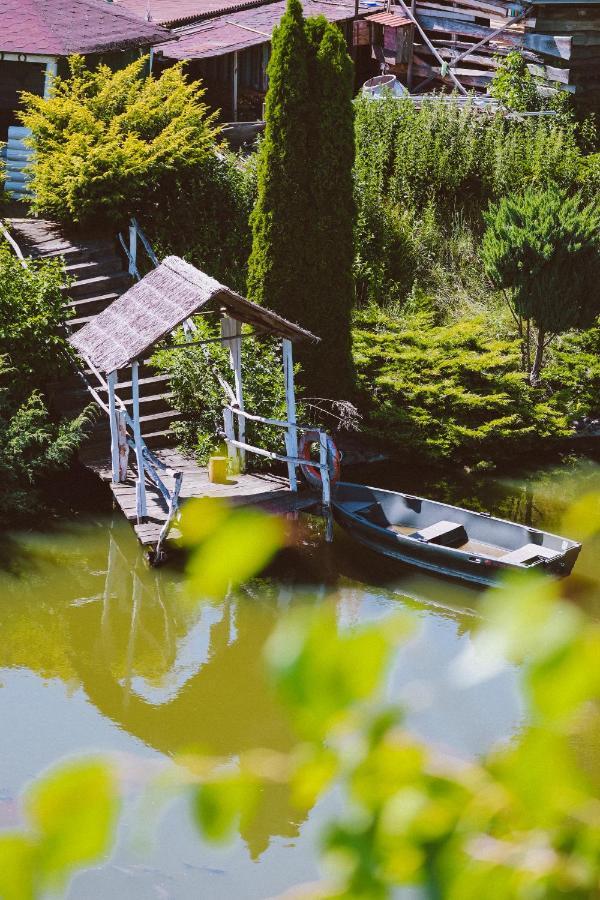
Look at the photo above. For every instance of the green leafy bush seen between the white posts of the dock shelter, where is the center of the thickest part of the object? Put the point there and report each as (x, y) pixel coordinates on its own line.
(199, 397)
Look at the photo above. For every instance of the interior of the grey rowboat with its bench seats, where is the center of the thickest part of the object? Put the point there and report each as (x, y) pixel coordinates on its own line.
(435, 523)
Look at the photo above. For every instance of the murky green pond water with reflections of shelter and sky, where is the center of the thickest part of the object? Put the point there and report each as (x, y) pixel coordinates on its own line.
(99, 653)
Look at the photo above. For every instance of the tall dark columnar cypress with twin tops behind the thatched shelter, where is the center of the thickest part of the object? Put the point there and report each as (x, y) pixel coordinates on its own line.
(301, 261)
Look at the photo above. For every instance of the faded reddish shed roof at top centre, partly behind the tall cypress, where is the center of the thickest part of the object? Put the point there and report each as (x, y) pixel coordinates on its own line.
(235, 31)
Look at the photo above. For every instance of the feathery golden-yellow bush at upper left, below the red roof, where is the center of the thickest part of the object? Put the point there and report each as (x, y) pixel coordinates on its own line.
(107, 142)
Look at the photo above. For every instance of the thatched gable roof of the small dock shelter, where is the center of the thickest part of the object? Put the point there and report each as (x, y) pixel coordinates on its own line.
(157, 304)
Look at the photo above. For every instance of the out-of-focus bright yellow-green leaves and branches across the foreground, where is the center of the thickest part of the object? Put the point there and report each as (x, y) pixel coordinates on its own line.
(523, 822)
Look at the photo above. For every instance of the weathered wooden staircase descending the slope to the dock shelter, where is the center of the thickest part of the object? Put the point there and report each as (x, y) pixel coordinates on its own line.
(99, 275)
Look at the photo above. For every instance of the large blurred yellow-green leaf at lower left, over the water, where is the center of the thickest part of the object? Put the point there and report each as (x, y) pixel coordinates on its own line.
(73, 812)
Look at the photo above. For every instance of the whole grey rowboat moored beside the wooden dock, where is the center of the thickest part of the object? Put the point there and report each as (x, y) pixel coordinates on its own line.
(447, 539)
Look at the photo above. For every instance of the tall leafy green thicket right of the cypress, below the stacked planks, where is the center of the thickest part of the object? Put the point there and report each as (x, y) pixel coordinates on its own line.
(424, 174)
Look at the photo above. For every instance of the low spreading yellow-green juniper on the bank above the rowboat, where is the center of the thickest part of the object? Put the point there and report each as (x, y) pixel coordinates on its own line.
(449, 392)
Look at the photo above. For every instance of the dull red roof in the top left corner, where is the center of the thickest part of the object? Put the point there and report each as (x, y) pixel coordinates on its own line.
(63, 27)
